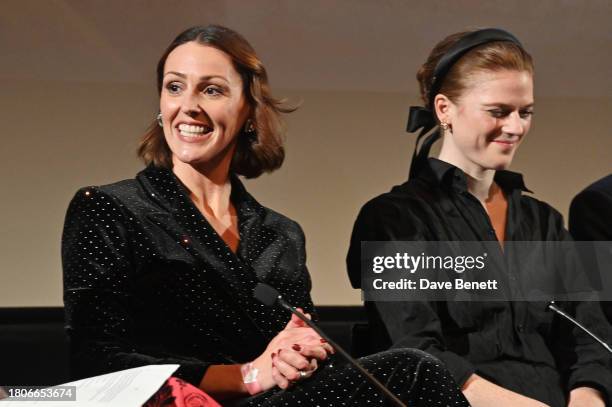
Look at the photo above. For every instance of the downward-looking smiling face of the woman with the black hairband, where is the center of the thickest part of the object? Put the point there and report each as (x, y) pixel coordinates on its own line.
(489, 121)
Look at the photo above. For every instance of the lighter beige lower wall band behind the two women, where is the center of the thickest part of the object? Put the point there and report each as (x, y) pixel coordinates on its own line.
(343, 148)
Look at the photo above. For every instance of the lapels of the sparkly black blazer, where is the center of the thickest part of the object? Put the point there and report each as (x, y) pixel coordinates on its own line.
(237, 275)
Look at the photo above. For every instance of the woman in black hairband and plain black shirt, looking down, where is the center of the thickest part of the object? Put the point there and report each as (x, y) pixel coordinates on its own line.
(477, 93)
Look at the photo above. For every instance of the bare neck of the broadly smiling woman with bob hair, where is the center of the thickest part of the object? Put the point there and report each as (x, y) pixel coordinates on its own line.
(208, 183)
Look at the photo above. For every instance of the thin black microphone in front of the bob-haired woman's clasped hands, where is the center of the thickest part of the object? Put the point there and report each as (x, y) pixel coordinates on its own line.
(270, 296)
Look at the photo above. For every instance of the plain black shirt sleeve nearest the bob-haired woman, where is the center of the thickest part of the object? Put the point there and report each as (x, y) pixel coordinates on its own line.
(409, 324)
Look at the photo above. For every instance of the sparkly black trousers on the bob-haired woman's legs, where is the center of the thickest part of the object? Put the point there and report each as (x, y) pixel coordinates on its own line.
(417, 378)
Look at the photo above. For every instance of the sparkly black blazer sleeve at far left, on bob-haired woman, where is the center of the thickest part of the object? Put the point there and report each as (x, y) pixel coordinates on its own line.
(98, 270)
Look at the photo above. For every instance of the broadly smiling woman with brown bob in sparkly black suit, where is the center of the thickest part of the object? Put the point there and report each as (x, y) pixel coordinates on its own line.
(161, 268)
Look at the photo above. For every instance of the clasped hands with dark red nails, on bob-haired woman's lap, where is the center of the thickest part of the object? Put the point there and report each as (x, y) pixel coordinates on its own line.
(295, 349)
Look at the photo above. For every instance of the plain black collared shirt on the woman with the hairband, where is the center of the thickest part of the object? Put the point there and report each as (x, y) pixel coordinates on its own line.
(517, 345)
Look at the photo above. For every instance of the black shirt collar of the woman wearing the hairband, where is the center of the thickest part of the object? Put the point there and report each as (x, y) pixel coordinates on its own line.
(447, 174)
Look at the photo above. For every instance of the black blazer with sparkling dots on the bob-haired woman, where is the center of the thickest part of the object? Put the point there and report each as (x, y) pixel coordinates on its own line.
(147, 280)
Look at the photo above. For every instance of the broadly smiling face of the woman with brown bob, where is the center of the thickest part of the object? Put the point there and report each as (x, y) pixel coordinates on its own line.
(202, 106)
